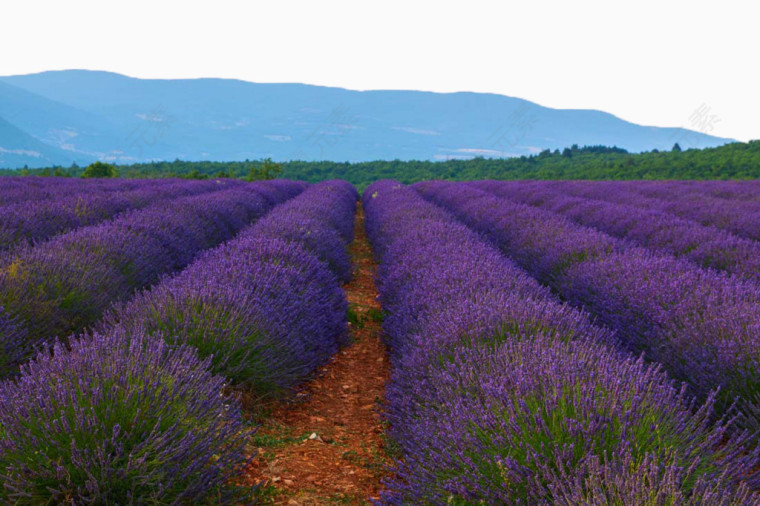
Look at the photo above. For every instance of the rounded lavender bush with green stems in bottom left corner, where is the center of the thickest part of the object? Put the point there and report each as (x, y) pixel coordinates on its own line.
(118, 419)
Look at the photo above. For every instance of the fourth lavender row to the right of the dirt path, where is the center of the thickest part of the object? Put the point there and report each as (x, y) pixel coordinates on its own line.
(741, 217)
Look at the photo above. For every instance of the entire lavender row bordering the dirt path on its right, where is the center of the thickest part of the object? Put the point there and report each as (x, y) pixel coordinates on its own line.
(499, 394)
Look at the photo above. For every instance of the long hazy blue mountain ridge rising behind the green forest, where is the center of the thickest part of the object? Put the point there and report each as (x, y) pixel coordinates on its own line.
(125, 120)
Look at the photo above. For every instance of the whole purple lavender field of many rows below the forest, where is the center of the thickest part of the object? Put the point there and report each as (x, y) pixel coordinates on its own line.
(554, 342)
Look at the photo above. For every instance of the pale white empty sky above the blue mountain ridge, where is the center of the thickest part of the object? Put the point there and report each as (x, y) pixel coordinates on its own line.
(650, 62)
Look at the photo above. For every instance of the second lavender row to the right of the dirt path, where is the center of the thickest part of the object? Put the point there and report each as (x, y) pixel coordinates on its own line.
(702, 325)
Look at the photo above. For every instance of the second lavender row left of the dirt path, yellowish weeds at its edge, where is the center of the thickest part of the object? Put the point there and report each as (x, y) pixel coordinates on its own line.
(60, 286)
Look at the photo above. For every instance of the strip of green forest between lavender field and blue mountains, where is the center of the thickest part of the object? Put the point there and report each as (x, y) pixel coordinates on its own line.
(731, 161)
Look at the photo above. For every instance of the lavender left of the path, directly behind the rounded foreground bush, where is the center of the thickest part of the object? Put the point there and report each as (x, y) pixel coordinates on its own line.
(266, 309)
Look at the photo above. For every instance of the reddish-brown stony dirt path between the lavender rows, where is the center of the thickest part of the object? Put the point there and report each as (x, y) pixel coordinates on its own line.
(328, 446)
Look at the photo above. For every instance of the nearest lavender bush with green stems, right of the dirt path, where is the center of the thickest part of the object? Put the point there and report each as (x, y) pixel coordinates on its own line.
(532, 420)
